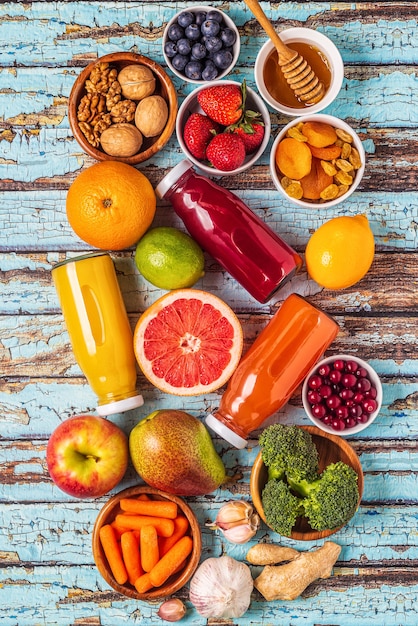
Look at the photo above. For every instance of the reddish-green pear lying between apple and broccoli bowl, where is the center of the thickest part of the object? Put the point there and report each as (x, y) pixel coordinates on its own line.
(173, 451)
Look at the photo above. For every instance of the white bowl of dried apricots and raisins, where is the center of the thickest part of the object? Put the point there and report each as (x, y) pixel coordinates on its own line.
(317, 161)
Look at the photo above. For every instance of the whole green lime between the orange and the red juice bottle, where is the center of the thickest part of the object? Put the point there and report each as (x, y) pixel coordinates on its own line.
(169, 258)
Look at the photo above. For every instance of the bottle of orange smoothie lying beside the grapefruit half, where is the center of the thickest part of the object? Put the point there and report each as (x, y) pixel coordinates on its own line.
(272, 369)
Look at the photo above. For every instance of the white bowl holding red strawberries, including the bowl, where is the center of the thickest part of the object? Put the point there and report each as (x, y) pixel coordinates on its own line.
(223, 127)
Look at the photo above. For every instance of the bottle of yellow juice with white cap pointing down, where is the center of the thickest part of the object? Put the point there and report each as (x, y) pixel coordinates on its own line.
(99, 330)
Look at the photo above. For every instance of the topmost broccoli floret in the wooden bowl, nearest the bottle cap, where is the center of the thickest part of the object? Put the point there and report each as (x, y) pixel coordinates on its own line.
(289, 452)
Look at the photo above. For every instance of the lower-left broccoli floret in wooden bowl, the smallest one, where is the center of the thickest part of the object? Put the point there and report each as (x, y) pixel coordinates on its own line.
(281, 507)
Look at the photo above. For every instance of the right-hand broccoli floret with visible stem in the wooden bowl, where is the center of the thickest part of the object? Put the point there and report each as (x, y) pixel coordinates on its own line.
(330, 501)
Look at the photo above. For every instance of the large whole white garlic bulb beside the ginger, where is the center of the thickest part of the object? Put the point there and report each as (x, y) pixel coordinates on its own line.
(221, 587)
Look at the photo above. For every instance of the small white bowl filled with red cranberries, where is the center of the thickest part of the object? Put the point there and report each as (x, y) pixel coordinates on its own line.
(342, 395)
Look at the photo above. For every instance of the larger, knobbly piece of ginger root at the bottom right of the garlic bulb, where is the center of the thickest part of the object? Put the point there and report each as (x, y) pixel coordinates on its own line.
(288, 581)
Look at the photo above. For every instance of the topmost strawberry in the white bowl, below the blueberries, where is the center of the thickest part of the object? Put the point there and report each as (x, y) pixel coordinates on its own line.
(222, 103)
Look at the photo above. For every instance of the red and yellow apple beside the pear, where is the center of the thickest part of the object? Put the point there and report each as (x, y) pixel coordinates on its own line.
(87, 456)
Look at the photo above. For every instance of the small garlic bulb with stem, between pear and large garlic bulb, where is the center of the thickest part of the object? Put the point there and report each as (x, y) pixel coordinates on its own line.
(237, 521)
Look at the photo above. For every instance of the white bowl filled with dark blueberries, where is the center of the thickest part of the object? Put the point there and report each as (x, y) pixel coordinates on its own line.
(201, 44)
